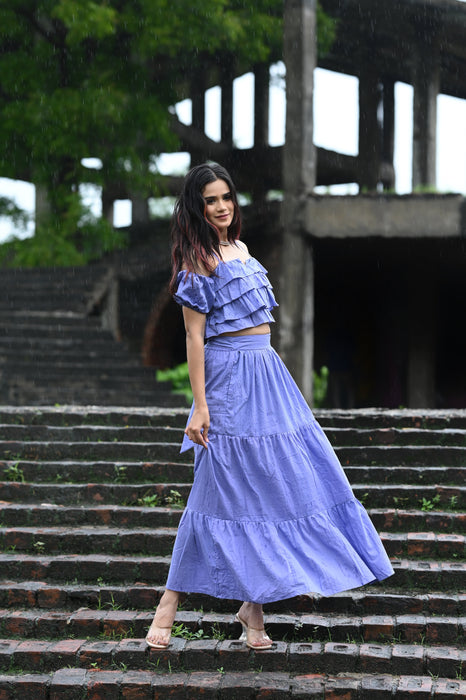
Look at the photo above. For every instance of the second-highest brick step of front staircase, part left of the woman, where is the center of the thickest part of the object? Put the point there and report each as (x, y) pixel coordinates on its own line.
(92, 433)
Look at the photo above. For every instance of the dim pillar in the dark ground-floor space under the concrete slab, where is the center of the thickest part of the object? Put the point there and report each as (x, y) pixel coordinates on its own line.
(422, 343)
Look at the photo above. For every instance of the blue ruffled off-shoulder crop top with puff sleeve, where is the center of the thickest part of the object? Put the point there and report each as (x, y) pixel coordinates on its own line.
(236, 295)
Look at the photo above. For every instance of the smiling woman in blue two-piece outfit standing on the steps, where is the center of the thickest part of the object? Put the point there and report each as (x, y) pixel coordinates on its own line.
(271, 514)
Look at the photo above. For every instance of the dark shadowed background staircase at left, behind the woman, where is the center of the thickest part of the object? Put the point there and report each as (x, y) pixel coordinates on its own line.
(52, 352)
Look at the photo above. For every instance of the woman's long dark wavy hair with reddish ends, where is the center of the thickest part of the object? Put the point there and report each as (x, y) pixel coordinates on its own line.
(194, 238)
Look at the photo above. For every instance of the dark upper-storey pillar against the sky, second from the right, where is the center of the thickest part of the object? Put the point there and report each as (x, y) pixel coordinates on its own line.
(369, 129)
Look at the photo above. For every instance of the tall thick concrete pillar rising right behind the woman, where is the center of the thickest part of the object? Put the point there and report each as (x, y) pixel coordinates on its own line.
(299, 179)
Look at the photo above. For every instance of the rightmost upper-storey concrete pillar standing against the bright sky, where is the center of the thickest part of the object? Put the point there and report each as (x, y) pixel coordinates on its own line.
(426, 83)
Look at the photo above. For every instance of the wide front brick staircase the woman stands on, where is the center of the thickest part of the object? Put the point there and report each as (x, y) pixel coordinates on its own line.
(90, 501)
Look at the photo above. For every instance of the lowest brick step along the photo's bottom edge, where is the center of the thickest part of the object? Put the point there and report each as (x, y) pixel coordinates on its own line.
(71, 683)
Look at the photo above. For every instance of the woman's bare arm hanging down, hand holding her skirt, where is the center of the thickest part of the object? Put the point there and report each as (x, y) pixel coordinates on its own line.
(198, 426)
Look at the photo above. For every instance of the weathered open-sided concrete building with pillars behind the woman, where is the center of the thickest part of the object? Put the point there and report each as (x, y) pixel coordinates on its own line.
(373, 286)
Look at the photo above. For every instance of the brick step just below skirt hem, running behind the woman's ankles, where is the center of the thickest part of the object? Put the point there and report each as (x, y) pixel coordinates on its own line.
(363, 602)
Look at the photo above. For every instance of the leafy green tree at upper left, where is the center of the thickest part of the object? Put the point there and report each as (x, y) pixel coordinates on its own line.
(82, 78)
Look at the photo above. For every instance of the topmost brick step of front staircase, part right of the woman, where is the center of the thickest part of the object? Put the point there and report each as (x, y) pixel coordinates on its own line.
(366, 418)
